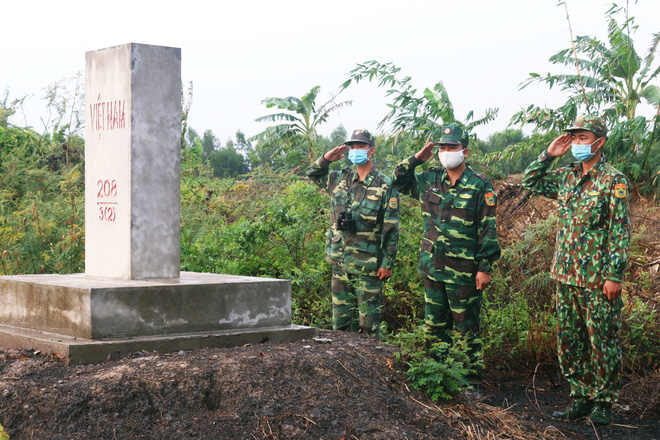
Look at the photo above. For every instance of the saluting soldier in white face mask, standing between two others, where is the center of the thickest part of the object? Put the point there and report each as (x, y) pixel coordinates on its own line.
(459, 244)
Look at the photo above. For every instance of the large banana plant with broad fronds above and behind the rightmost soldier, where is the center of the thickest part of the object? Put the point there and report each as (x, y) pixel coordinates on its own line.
(610, 79)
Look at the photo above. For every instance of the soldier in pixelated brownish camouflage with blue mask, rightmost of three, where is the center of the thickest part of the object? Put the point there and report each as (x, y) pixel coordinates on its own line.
(589, 262)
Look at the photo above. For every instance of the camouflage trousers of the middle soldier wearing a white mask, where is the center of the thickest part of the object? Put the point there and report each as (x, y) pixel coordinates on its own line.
(452, 307)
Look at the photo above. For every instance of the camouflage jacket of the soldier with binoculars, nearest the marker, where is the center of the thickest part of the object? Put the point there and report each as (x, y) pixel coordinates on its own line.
(375, 206)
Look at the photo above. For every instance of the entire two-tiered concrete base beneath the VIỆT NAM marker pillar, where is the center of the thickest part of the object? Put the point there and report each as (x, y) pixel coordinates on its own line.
(90, 319)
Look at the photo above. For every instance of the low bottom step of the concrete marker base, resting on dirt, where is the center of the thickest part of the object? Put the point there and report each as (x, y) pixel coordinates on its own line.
(75, 351)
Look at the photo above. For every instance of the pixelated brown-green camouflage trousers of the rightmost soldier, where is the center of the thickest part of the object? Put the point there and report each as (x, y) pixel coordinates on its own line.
(588, 345)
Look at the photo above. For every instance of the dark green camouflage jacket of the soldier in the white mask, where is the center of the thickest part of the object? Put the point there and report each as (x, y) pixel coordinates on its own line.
(460, 237)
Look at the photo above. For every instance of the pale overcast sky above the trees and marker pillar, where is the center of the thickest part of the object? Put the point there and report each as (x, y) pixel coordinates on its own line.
(239, 52)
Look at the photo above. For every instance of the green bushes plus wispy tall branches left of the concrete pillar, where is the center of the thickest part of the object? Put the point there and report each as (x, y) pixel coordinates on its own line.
(42, 187)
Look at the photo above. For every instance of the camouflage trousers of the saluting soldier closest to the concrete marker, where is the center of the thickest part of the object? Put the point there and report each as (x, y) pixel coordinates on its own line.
(356, 302)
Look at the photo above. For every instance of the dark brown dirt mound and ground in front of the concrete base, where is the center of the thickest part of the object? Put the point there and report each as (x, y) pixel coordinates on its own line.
(335, 386)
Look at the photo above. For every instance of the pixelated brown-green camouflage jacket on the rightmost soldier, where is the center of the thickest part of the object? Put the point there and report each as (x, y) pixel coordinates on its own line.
(594, 231)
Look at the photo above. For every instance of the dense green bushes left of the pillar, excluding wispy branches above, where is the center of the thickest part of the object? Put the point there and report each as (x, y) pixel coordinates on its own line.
(41, 206)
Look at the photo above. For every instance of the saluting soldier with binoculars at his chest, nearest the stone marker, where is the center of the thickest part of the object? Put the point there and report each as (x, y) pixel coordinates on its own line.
(363, 235)
